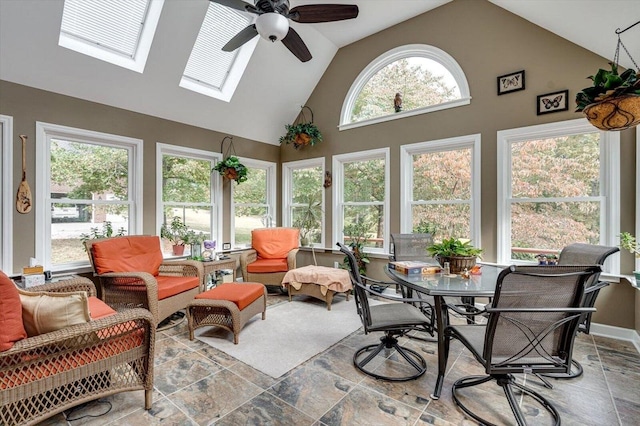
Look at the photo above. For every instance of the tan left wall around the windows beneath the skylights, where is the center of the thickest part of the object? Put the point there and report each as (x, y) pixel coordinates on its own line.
(27, 105)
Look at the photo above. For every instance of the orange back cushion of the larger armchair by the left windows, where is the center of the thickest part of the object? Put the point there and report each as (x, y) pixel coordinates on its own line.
(135, 253)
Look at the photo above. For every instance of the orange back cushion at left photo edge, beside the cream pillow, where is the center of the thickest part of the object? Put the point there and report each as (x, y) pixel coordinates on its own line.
(12, 328)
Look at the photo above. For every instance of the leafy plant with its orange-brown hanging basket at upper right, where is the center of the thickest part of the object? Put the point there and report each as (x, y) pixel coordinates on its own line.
(613, 101)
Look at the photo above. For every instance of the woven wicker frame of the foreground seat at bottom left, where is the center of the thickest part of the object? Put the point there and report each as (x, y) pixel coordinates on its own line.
(101, 357)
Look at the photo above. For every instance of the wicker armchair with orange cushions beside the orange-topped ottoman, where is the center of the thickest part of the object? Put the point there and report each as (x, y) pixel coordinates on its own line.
(144, 279)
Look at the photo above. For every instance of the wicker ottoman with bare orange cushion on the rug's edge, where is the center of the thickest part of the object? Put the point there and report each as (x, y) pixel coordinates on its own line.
(228, 305)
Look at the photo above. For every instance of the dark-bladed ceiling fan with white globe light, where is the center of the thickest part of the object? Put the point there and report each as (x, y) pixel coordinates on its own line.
(272, 22)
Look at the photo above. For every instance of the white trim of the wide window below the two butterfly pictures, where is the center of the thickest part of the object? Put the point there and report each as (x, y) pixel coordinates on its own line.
(609, 168)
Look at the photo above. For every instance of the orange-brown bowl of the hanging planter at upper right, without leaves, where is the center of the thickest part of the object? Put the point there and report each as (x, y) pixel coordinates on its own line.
(614, 113)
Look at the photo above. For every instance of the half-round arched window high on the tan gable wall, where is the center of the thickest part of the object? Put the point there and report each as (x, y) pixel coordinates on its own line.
(426, 78)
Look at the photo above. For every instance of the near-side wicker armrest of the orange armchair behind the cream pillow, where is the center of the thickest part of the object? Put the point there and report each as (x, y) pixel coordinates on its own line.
(126, 290)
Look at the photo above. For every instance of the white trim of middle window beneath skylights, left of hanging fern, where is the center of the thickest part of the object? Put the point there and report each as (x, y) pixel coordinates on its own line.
(216, 185)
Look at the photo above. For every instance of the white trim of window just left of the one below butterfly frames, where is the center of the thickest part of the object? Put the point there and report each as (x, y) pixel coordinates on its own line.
(406, 178)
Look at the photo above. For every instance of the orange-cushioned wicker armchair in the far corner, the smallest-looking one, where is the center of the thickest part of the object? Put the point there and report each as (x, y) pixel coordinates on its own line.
(273, 253)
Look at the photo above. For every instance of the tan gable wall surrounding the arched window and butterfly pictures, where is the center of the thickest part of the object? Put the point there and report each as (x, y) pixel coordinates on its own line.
(486, 41)
